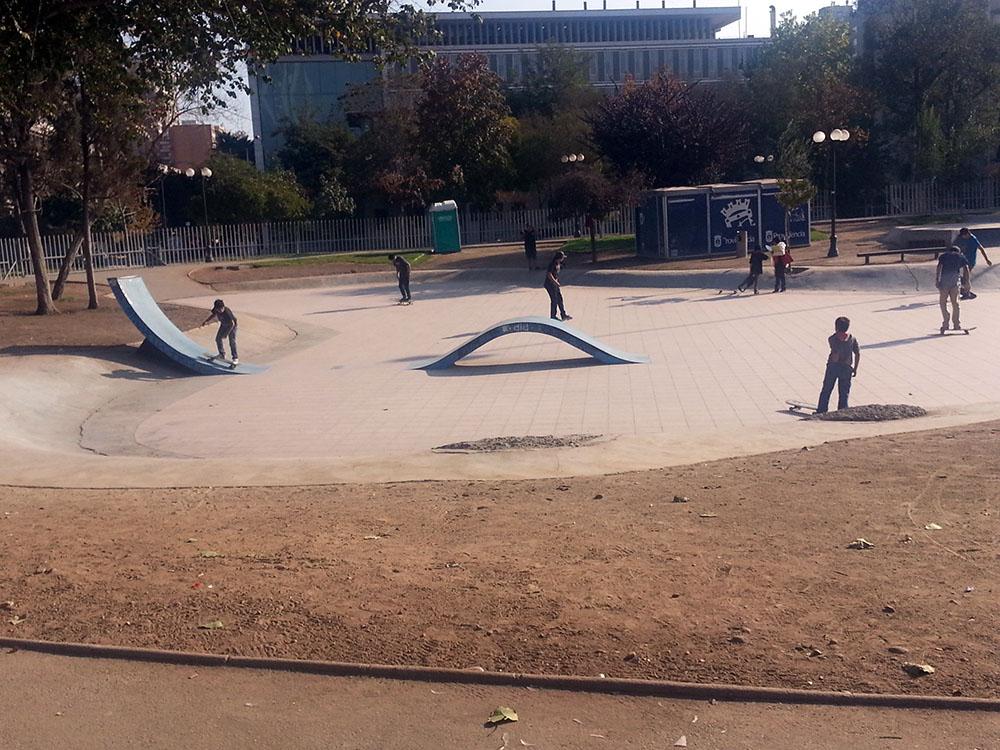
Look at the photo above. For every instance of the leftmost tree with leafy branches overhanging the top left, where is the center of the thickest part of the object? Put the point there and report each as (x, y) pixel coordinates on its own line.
(167, 47)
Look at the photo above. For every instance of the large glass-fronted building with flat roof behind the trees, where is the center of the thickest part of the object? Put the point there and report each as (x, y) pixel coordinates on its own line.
(617, 44)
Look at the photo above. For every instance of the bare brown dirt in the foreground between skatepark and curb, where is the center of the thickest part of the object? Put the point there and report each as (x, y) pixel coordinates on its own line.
(749, 581)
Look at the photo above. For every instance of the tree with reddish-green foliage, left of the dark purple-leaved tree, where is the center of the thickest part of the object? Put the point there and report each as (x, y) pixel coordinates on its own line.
(464, 128)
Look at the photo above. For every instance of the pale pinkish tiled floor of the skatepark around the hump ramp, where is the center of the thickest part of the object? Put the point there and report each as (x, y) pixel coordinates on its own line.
(720, 365)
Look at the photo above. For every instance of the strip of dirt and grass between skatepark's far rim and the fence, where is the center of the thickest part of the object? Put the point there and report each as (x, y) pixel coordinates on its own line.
(853, 237)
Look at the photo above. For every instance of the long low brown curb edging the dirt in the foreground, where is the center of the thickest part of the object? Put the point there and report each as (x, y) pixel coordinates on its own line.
(612, 686)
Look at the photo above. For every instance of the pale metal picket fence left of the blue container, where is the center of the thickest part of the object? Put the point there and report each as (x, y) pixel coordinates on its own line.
(234, 242)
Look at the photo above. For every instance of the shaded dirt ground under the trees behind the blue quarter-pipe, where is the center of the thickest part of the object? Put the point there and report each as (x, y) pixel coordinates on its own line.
(75, 325)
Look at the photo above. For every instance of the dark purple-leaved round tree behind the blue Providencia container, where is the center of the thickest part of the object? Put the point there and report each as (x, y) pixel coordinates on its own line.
(672, 132)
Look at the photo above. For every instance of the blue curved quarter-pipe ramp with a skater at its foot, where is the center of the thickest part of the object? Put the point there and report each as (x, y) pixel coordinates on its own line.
(160, 332)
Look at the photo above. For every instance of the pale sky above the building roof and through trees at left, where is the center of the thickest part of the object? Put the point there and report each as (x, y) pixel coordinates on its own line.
(756, 22)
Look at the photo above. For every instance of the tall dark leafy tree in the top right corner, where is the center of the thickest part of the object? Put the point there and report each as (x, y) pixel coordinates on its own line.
(934, 66)
